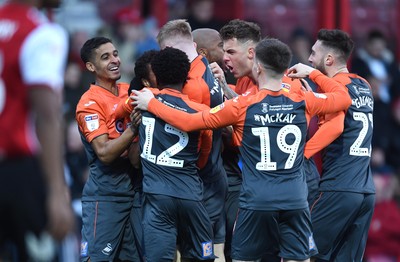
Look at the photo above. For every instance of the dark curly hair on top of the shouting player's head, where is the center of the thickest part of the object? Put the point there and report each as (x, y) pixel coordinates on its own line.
(241, 30)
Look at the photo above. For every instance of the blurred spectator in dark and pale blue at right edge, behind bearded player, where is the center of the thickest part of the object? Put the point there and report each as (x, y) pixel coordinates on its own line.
(377, 64)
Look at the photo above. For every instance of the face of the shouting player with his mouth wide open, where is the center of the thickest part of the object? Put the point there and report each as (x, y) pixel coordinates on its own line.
(236, 58)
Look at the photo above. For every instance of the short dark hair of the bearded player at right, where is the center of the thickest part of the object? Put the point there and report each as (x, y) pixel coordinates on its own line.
(337, 40)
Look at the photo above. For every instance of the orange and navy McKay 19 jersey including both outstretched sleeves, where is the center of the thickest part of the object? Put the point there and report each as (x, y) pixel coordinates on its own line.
(270, 129)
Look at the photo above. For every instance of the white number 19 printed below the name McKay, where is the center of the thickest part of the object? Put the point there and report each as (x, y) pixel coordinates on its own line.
(265, 146)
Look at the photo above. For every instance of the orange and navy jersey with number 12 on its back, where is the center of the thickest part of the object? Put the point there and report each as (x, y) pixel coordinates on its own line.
(169, 155)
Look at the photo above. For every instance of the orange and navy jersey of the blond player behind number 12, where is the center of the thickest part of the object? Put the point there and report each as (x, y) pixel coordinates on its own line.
(203, 88)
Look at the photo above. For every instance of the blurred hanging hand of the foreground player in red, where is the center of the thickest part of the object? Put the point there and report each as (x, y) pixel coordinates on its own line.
(61, 217)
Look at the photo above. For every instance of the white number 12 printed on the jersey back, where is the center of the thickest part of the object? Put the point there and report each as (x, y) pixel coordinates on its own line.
(165, 158)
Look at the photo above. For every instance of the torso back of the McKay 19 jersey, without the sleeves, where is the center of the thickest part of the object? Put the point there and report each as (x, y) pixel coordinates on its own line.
(272, 144)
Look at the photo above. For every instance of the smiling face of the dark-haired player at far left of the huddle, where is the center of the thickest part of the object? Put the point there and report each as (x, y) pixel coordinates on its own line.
(107, 63)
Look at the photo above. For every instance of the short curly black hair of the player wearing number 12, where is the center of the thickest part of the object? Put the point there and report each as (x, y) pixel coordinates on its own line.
(170, 66)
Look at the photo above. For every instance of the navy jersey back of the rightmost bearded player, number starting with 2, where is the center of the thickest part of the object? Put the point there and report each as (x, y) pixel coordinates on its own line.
(346, 161)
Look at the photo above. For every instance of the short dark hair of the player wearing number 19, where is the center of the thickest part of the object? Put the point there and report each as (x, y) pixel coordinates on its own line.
(273, 54)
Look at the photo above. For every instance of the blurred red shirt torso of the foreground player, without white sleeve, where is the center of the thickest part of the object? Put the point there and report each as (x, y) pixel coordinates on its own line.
(17, 22)
